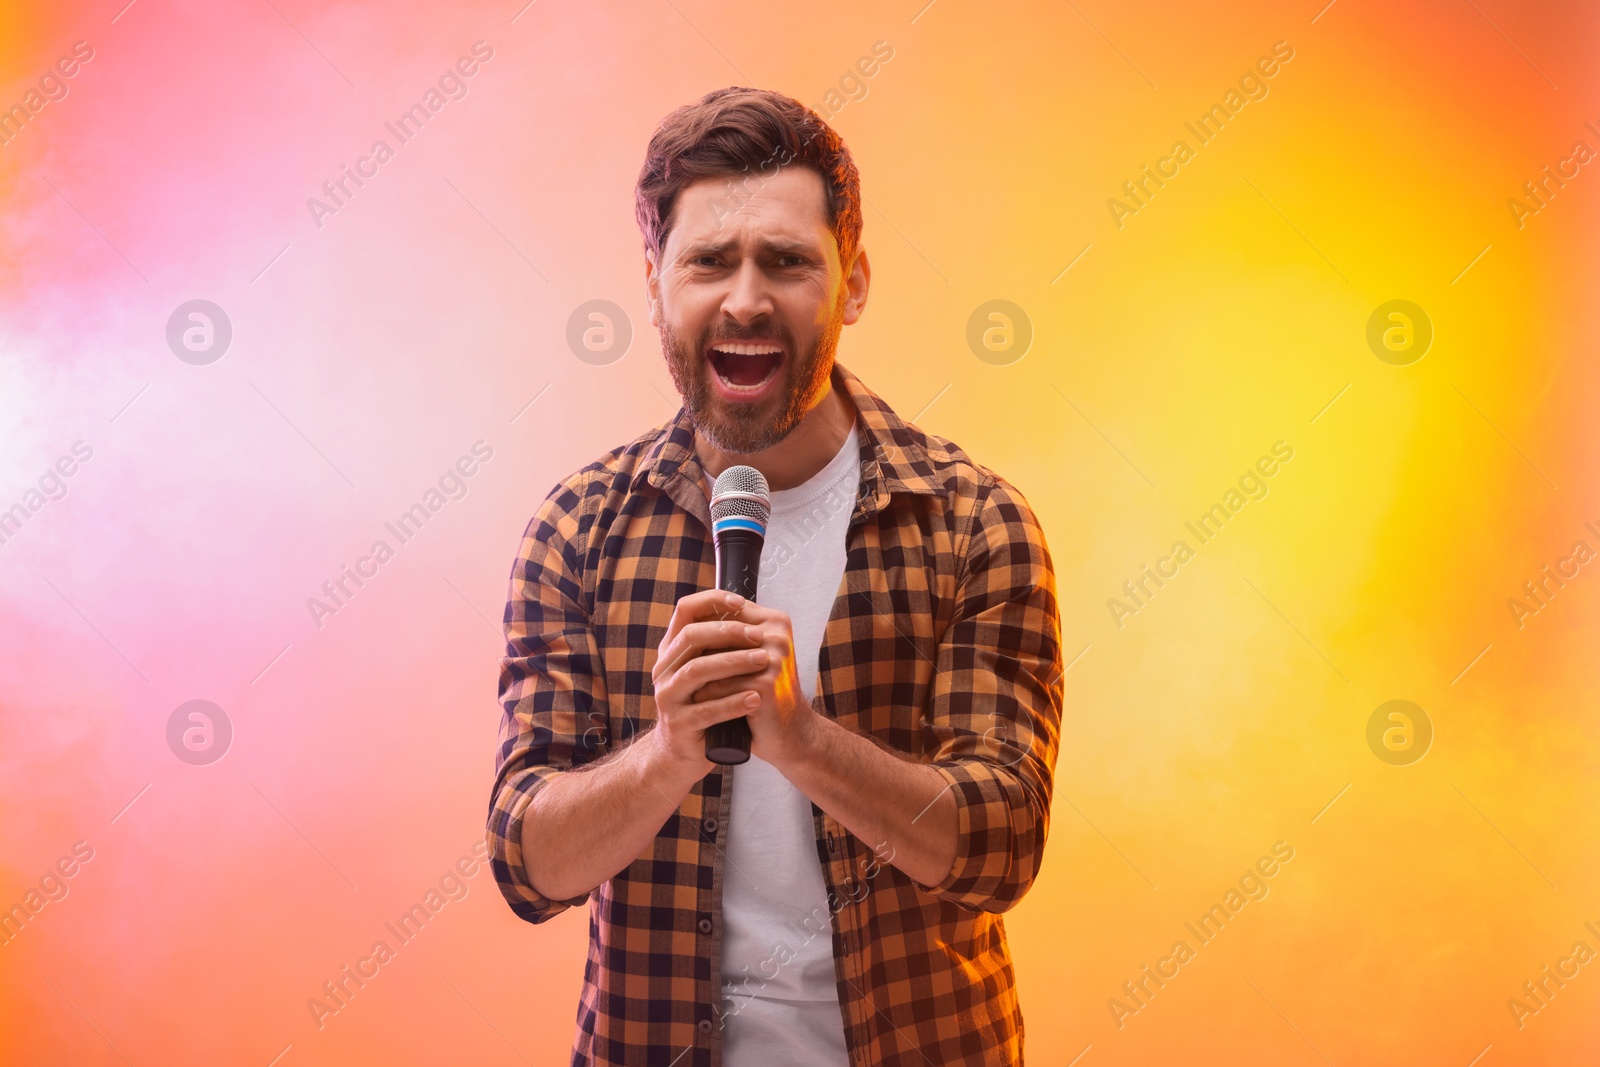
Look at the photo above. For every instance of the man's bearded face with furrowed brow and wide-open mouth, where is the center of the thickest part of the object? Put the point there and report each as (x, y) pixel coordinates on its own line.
(750, 300)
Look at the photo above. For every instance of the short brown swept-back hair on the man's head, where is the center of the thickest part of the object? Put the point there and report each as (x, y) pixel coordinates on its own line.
(743, 130)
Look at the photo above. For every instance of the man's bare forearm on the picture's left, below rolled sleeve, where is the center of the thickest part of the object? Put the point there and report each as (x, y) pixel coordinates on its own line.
(586, 826)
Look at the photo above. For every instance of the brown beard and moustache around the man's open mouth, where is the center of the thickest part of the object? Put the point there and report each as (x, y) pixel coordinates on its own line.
(750, 428)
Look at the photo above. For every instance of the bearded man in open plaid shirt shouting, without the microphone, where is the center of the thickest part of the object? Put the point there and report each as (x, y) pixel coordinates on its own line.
(838, 898)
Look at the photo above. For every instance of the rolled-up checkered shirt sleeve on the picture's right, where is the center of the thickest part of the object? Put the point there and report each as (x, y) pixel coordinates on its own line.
(996, 708)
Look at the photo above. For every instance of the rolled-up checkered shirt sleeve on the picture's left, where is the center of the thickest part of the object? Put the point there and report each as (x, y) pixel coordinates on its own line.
(551, 689)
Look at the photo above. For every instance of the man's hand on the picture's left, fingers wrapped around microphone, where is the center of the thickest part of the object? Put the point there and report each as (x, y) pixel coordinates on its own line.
(703, 621)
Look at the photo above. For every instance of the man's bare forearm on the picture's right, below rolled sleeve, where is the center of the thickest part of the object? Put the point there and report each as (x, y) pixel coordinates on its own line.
(900, 809)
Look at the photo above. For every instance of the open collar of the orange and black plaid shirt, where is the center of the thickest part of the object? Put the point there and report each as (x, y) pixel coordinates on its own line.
(894, 455)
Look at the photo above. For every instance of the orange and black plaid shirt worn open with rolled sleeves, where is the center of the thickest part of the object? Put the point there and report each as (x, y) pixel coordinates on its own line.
(943, 647)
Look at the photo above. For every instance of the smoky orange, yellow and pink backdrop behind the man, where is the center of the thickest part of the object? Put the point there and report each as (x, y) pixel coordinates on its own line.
(1169, 354)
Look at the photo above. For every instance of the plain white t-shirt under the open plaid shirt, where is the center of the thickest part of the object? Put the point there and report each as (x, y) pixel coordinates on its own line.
(777, 930)
